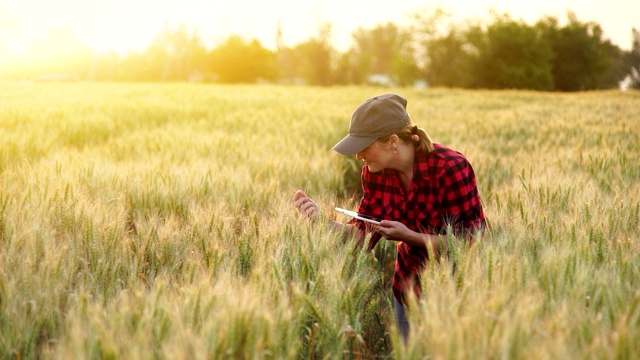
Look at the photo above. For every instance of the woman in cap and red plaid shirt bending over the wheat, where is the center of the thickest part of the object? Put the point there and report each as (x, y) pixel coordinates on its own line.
(419, 190)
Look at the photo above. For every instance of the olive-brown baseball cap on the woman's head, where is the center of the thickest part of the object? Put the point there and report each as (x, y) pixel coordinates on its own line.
(378, 116)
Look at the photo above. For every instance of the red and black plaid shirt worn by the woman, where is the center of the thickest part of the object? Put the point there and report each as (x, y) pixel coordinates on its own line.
(442, 193)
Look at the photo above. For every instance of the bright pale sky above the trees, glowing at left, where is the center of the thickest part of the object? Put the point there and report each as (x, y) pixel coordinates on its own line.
(130, 25)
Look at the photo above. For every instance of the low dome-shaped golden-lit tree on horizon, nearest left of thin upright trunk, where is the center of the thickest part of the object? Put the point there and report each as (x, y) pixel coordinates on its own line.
(238, 61)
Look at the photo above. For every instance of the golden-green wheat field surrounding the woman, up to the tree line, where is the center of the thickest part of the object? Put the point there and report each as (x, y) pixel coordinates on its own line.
(144, 221)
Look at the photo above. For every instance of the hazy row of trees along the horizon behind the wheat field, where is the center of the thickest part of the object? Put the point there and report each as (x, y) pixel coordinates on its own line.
(502, 53)
